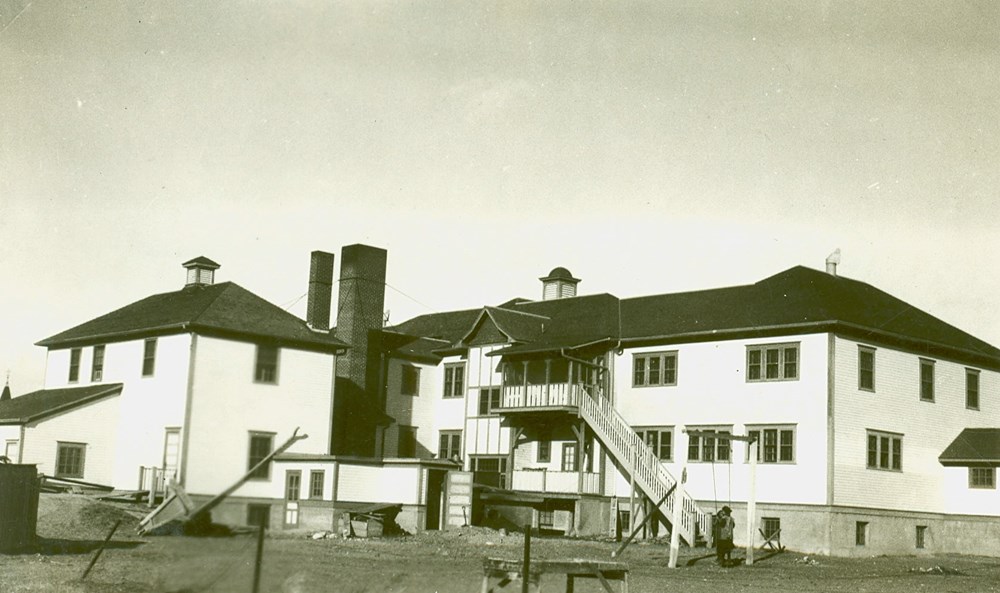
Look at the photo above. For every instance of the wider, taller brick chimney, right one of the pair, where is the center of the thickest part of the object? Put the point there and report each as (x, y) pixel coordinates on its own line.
(358, 406)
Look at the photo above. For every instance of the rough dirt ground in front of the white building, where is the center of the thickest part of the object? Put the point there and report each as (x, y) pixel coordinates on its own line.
(72, 526)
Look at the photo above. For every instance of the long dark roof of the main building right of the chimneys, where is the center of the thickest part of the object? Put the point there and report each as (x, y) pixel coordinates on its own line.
(798, 300)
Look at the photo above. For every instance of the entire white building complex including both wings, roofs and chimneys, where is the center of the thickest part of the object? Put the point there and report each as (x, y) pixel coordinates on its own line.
(878, 425)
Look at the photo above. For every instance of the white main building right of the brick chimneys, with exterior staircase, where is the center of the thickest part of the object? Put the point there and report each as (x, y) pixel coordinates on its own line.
(878, 425)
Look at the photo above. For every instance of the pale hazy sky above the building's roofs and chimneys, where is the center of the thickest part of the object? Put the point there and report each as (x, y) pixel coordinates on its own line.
(648, 147)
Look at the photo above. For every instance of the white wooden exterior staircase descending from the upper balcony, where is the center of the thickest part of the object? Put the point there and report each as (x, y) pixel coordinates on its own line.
(637, 459)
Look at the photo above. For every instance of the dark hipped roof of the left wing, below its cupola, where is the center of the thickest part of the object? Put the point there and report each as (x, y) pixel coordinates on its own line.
(220, 309)
